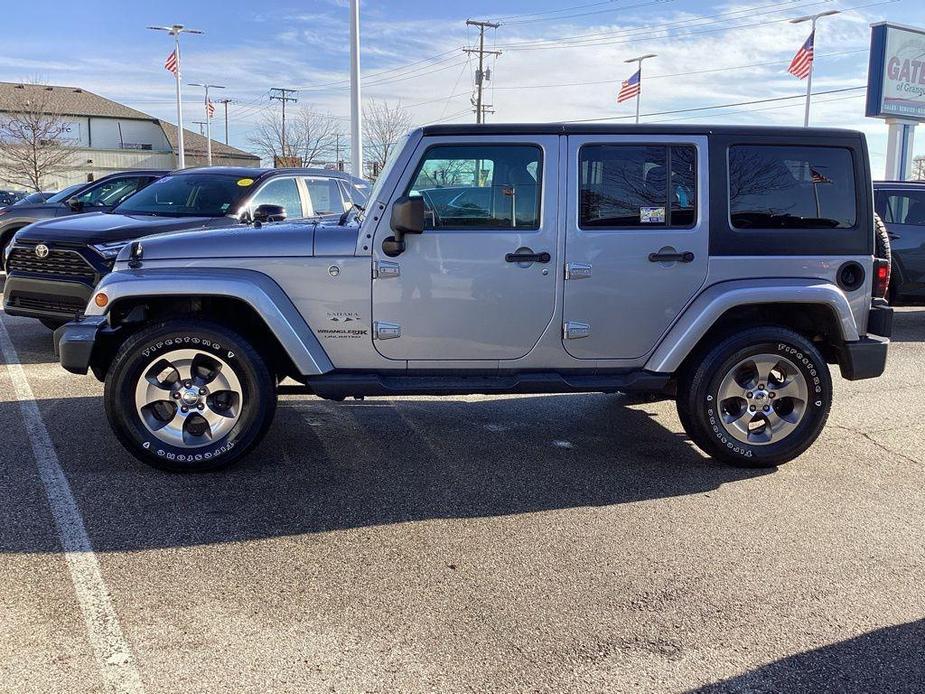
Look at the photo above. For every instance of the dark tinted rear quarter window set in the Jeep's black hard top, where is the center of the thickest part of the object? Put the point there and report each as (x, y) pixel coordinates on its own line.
(781, 187)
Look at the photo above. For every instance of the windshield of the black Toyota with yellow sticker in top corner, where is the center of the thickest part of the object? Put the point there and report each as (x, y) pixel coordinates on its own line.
(189, 195)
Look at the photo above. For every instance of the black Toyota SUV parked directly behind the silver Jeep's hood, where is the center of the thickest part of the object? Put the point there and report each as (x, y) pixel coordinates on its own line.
(52, 266)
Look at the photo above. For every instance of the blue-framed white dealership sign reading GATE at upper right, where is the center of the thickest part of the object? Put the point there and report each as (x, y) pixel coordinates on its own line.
(896, 77)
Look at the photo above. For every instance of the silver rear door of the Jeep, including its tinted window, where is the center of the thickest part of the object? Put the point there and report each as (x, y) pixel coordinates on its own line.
(637, 241)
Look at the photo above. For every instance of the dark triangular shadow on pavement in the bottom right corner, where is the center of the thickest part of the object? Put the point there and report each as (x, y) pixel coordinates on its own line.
(886, 660)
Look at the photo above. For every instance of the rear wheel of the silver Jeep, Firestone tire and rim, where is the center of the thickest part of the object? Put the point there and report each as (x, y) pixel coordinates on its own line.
(798, 393)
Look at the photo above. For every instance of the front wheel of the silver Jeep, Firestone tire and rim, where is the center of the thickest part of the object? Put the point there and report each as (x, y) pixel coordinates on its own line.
(239, 408)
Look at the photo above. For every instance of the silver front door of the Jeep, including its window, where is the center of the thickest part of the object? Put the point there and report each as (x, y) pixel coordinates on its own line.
(480, 282)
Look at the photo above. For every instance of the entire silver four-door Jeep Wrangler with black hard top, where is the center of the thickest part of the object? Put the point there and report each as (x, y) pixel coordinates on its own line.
(724, 267)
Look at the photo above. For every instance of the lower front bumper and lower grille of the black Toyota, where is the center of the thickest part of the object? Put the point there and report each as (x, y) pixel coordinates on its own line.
(35, 297)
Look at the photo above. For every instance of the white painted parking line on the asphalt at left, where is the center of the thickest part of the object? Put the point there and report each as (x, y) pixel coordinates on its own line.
(113, 656)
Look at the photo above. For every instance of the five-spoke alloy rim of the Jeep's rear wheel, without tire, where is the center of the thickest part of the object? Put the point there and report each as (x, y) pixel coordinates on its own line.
(762, 399)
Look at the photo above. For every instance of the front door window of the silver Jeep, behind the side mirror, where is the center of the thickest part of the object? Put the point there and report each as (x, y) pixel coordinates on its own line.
(486, 186)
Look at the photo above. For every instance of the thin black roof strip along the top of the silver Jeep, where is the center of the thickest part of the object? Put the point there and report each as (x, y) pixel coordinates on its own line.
(626, 129)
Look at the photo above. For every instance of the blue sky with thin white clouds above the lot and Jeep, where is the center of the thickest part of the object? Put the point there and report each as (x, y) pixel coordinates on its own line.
(561, 60)
